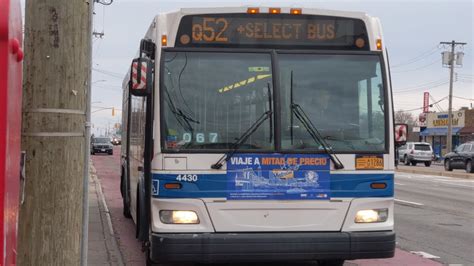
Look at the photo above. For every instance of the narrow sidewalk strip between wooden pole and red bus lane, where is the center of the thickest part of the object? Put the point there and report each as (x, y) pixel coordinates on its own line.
(102, 246)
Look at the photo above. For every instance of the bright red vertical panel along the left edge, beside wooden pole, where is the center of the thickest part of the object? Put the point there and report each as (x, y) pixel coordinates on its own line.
(11, 57)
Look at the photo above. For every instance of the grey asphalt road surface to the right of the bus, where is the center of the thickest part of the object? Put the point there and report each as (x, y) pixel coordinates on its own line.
(435, 215)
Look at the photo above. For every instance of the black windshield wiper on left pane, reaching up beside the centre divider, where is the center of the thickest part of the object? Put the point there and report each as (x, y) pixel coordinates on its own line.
(239, 142)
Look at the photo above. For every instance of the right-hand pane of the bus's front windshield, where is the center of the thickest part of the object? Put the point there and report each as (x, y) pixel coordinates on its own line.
(342, 95)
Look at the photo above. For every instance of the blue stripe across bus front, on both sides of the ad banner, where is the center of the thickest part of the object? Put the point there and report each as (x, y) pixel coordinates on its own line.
(215, 186)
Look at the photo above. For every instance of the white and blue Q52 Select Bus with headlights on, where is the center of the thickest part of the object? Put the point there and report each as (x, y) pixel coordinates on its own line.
(260, 134)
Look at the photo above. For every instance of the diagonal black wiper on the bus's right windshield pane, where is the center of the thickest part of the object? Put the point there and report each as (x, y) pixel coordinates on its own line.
(313, 131)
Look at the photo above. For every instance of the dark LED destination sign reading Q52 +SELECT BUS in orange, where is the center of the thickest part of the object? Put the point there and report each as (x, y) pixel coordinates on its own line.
(243, 30)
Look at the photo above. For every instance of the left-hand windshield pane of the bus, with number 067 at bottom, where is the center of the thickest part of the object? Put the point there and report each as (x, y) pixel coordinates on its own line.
(211, 99)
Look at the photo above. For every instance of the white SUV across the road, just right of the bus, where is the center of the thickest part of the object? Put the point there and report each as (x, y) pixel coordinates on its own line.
(416, 152)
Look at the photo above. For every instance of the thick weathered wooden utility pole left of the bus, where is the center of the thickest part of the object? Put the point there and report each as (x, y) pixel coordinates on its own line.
(55, 93)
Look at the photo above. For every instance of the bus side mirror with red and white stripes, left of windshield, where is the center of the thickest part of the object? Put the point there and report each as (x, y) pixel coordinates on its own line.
(141, 77)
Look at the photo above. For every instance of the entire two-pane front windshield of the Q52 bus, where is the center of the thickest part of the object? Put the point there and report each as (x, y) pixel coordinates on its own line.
(211, 98)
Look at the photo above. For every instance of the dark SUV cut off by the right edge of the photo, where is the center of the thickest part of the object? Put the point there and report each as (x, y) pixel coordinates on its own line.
(460, 158)
